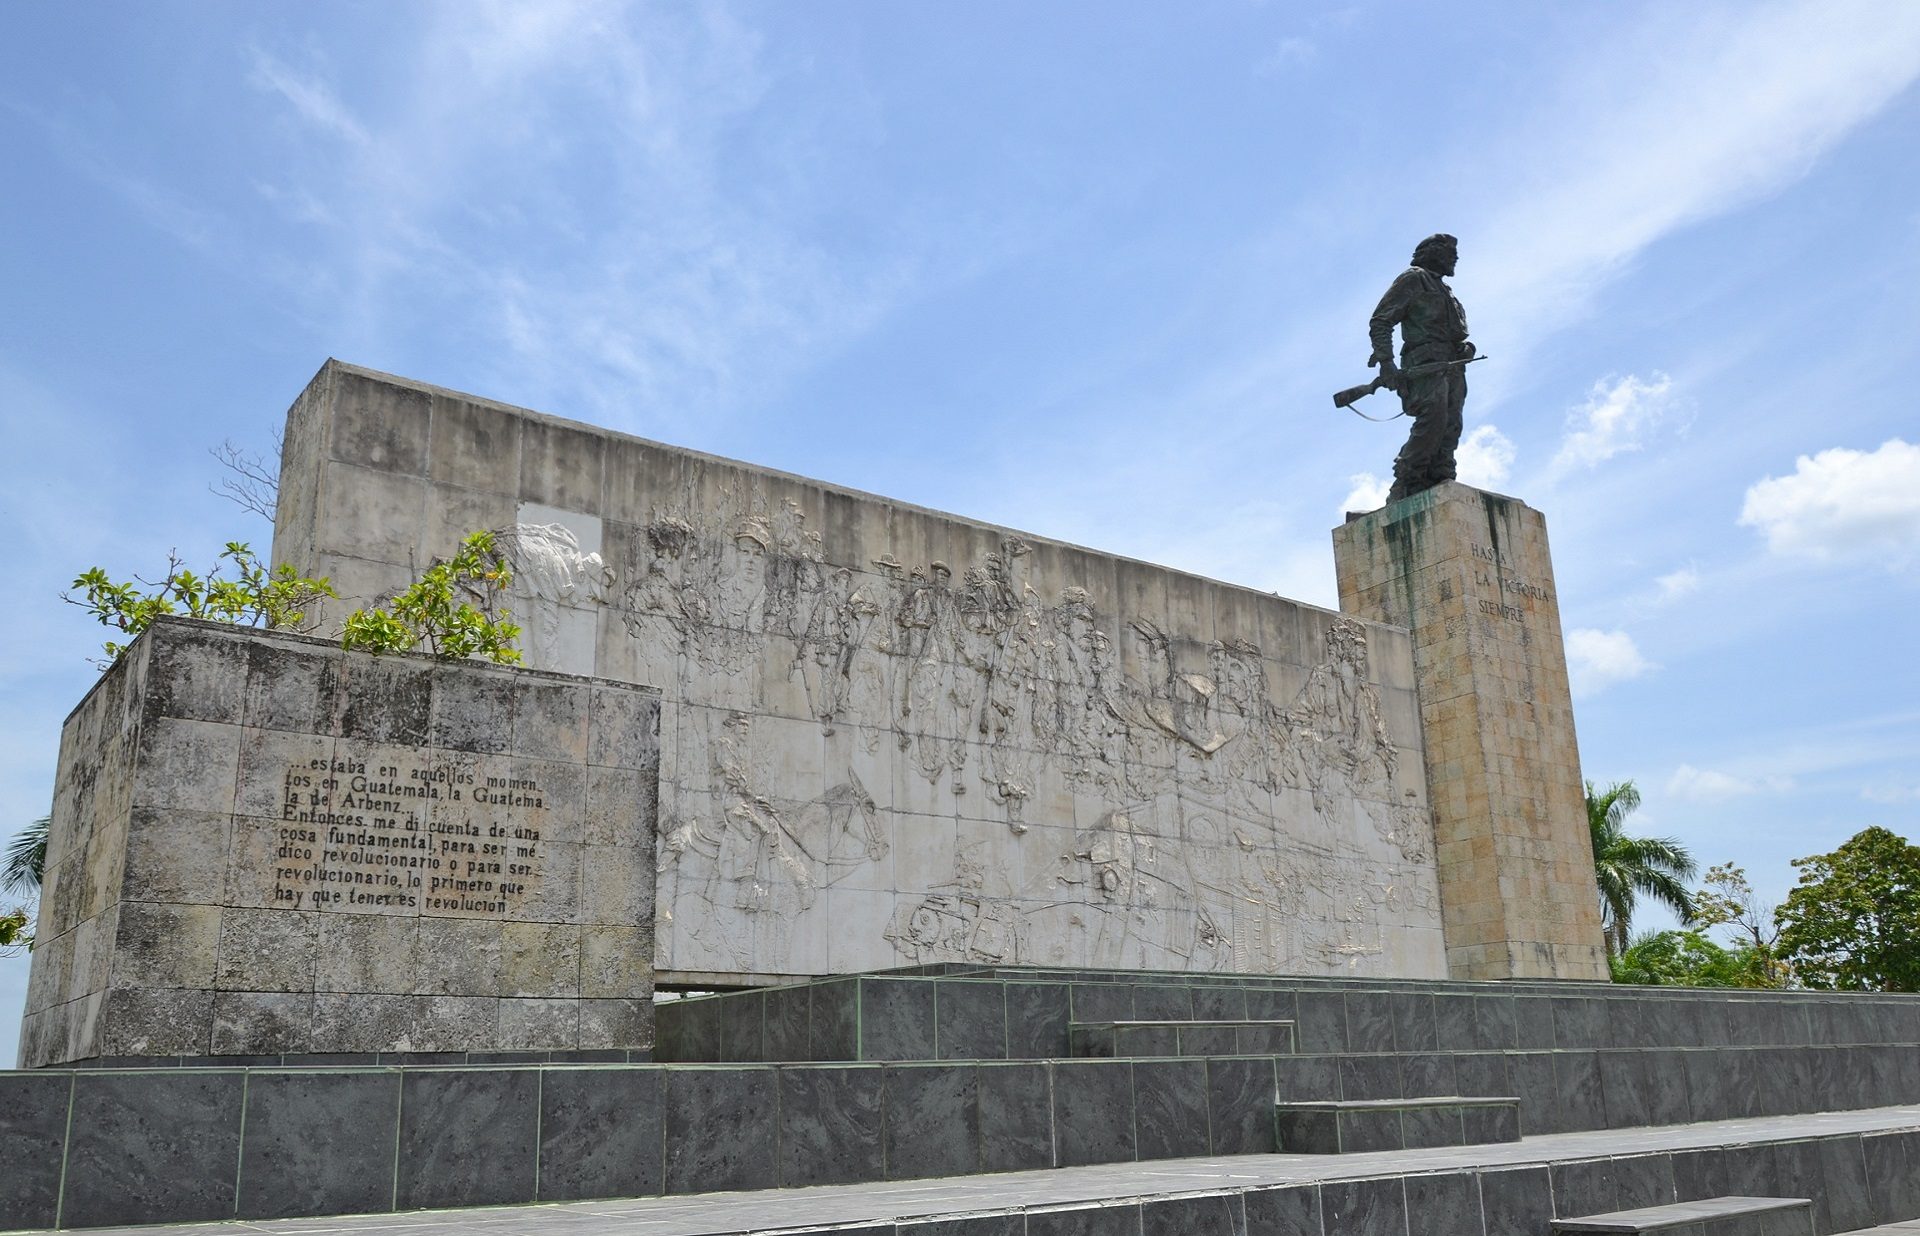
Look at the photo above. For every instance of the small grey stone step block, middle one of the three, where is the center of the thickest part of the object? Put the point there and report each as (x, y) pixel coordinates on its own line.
(1328, 1128)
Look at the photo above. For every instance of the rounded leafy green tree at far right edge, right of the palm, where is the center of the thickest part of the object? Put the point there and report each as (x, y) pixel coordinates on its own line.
(1854, 920)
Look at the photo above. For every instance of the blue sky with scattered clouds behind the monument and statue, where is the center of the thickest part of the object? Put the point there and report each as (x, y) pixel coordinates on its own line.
(1088, 270)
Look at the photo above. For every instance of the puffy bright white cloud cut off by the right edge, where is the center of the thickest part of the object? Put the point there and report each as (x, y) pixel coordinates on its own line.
(1842, 504)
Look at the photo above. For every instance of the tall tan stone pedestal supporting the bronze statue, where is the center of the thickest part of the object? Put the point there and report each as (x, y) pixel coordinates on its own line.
(1470, 577)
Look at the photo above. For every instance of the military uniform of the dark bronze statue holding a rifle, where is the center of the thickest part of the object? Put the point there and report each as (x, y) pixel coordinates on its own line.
(1433, 327)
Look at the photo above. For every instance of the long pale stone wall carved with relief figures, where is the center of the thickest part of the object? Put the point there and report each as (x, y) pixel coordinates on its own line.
(896, 738)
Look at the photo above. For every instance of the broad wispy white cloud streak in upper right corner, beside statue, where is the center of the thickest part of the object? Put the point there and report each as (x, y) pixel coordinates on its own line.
(1683, 120)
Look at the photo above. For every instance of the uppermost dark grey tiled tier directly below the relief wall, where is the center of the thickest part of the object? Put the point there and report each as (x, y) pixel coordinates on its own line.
(1024, 1014)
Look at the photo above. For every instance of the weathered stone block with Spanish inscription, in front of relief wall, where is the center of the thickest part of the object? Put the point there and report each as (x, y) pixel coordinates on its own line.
(339, 853)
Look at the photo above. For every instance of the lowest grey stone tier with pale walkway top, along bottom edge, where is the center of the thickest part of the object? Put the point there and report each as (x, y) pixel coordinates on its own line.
(1860, 1170)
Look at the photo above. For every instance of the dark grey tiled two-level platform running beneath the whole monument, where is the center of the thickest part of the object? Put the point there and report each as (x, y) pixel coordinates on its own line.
(322, 1137)
